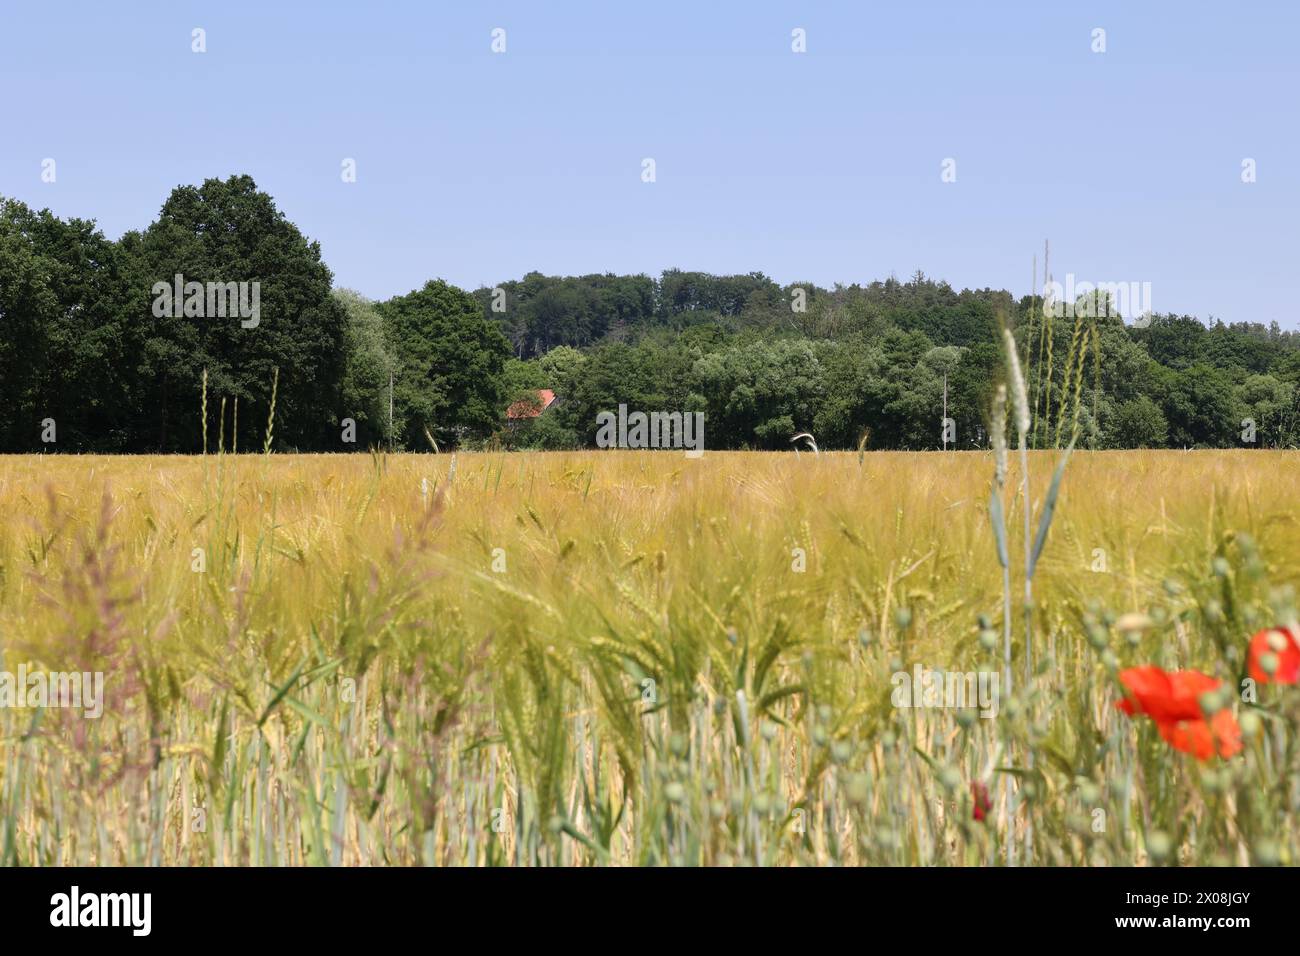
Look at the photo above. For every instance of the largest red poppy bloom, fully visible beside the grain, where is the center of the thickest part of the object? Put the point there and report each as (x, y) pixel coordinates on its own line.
(1172, 699)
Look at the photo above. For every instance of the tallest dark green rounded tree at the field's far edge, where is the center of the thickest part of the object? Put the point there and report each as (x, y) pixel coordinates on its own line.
(231, 232)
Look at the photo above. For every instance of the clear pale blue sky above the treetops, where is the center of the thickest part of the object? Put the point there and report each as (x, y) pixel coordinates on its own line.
(479, 167)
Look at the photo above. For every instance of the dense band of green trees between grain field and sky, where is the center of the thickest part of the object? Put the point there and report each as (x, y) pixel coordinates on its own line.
(89, 361)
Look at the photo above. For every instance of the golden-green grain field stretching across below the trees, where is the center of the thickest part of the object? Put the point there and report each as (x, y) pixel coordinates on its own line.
(635, 659)
